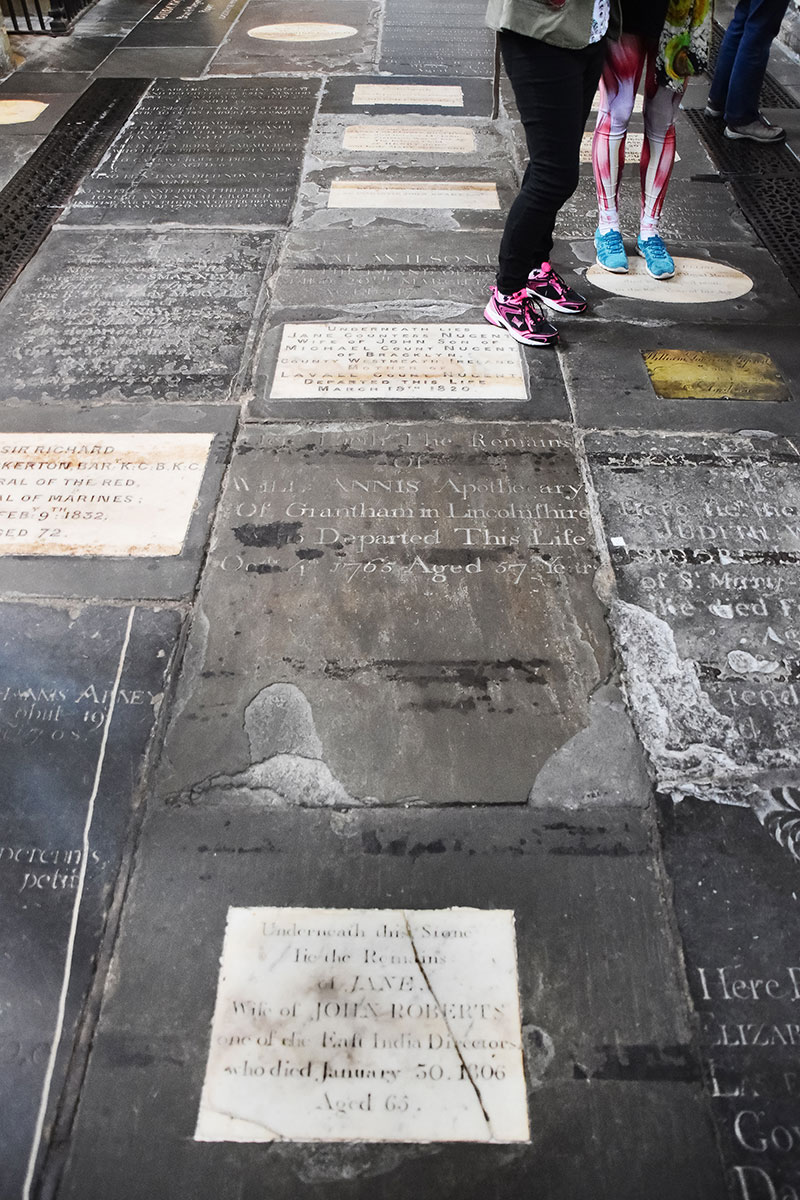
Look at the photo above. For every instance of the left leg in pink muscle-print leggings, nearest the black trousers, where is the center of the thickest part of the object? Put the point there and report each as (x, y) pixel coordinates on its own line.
(618, 86)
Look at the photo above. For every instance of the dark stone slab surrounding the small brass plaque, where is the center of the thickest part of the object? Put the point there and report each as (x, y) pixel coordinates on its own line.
(611, 388)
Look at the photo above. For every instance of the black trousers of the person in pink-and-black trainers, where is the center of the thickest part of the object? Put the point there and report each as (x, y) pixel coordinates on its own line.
(554, 89)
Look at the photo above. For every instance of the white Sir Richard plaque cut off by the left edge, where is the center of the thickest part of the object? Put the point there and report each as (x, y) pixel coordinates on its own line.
(99, 494)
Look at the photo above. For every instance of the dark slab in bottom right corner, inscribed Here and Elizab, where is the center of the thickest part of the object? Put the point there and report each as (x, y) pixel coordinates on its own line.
(736, 896)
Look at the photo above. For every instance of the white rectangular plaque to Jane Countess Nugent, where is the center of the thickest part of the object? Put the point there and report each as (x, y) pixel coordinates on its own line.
(398, 362)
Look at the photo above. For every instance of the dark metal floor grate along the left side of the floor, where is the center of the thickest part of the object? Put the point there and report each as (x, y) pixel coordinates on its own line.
(37, 196)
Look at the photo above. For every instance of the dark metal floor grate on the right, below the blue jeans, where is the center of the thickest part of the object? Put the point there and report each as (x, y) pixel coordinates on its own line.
(766, 182)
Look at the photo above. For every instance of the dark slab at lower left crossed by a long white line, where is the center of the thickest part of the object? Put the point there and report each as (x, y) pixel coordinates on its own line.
(79, 699)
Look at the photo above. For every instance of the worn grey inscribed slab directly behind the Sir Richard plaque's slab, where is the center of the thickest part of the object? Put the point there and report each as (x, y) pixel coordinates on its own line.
(133, 316)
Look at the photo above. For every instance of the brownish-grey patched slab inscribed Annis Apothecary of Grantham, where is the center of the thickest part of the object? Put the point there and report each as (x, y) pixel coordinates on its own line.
(428, 595)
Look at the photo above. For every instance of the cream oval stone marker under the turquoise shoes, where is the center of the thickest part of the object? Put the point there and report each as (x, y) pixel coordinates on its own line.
(696, 281)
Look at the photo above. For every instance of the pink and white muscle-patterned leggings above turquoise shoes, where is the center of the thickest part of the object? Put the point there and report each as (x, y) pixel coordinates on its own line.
(627, 61)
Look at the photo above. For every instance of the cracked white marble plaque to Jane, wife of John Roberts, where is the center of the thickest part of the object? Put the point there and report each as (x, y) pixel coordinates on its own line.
(366, 1025)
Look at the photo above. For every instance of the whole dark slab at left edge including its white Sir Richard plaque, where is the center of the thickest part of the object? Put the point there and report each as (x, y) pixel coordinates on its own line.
(110, 503)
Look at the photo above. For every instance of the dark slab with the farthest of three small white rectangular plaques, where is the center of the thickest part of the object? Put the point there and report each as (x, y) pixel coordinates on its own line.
(405, 95)
